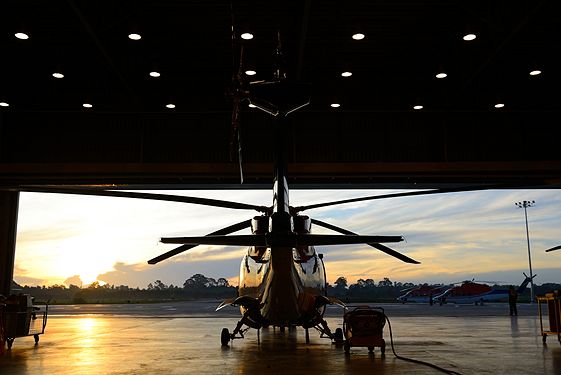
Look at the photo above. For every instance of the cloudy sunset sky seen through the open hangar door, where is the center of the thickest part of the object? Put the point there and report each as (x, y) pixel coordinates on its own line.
(70, 239)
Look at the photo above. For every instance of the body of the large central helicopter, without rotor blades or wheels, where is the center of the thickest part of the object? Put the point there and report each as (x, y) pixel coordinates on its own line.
(286, 284)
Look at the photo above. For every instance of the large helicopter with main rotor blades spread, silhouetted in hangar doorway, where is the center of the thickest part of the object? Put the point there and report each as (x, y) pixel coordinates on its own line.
(282, 279)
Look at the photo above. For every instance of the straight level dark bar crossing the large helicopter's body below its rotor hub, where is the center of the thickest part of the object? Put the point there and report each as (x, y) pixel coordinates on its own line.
(290, 240)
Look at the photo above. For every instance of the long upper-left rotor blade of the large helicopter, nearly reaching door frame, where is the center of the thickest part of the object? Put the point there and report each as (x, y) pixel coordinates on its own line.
(152, 196)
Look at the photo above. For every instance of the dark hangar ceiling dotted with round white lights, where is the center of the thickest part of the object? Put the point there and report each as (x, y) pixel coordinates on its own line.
(374, 138)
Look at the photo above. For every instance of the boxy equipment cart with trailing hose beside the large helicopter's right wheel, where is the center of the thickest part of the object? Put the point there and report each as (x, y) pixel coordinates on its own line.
(364, 326)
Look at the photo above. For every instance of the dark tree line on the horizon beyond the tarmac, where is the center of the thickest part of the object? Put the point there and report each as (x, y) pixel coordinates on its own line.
(199, 287)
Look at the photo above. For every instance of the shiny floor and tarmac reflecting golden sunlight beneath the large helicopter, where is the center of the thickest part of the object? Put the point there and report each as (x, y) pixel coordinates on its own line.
(184, 338)
